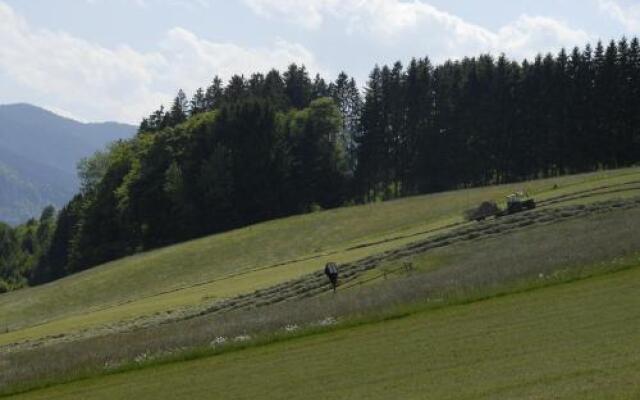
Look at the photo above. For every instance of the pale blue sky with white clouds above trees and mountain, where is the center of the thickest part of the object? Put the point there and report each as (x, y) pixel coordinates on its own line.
(118, 60)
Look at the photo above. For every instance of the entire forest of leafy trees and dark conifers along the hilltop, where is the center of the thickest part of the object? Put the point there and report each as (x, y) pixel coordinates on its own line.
(278, 144)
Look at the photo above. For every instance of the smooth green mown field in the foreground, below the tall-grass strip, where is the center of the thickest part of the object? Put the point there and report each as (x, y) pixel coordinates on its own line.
(571, 341)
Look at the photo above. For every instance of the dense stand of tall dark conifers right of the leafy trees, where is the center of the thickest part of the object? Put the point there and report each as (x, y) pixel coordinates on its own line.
(484, 120)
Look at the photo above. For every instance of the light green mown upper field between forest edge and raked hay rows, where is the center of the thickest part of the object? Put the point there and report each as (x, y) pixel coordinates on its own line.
(247, 259)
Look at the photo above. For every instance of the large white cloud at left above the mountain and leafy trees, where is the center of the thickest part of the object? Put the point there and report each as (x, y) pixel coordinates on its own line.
(122, 83)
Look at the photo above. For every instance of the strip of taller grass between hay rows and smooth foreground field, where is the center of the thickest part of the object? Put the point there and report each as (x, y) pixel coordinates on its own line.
(538, 256)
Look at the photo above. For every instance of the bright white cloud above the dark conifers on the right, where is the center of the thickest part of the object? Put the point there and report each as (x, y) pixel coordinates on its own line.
(443, 35)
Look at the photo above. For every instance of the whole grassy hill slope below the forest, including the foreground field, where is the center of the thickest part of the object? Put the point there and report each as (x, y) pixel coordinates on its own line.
(268, 276)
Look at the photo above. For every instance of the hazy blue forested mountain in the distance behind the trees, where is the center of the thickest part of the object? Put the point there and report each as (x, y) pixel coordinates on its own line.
(39, 151)
